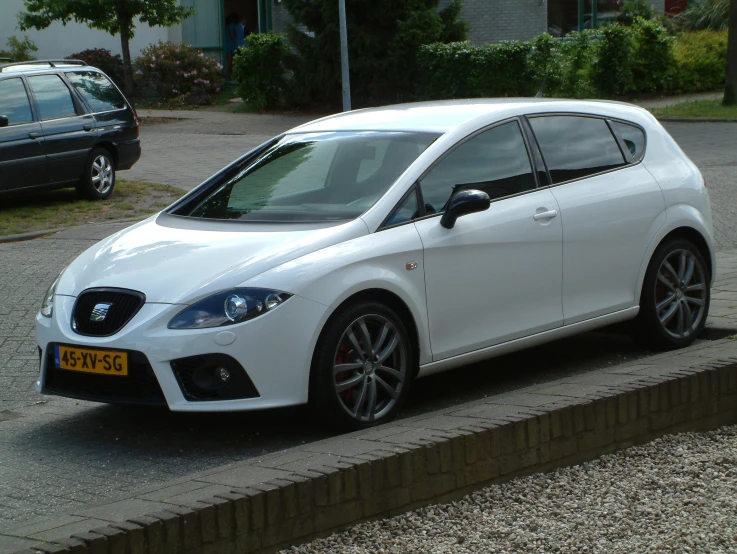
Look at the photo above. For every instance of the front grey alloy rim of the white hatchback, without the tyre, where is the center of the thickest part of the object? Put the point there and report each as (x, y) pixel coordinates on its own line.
(370, 367)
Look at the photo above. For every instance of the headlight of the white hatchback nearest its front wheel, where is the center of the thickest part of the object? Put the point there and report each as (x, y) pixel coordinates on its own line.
(228, 308)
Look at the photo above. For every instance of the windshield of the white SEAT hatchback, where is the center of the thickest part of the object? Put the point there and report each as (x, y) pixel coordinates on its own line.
(314, 177)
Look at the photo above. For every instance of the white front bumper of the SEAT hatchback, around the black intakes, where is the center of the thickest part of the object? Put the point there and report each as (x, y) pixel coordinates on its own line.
(275, 350)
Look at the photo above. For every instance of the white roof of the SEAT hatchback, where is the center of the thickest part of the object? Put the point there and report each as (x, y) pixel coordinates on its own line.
(441, 116)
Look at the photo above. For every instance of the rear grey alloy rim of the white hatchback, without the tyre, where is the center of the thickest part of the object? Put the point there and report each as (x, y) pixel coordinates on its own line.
(680, 294)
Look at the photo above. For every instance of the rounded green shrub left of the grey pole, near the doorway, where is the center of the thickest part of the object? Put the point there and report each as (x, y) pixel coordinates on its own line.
(260, 70)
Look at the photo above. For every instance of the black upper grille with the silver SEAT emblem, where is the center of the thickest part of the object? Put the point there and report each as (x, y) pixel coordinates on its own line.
(104, 312)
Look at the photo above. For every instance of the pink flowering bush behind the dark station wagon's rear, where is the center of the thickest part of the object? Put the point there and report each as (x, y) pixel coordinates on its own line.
(176, 69)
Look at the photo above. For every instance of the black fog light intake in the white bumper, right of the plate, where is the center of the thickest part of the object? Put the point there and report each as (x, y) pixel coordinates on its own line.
(199, 378)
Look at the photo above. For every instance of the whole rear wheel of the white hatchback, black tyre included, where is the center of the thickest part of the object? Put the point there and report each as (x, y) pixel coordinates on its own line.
(674, 302)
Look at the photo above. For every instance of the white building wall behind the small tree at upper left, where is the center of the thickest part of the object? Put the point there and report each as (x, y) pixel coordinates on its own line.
(58, 41)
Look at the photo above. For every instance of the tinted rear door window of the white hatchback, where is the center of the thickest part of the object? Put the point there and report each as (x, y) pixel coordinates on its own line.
(576, 147)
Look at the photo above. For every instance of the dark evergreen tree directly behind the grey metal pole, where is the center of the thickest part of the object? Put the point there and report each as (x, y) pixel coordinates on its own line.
(384, 39)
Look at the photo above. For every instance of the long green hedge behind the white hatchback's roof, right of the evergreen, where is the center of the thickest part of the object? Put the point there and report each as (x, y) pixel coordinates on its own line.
(614, 61)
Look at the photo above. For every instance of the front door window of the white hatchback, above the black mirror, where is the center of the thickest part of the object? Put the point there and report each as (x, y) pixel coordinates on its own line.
(494, 161)
